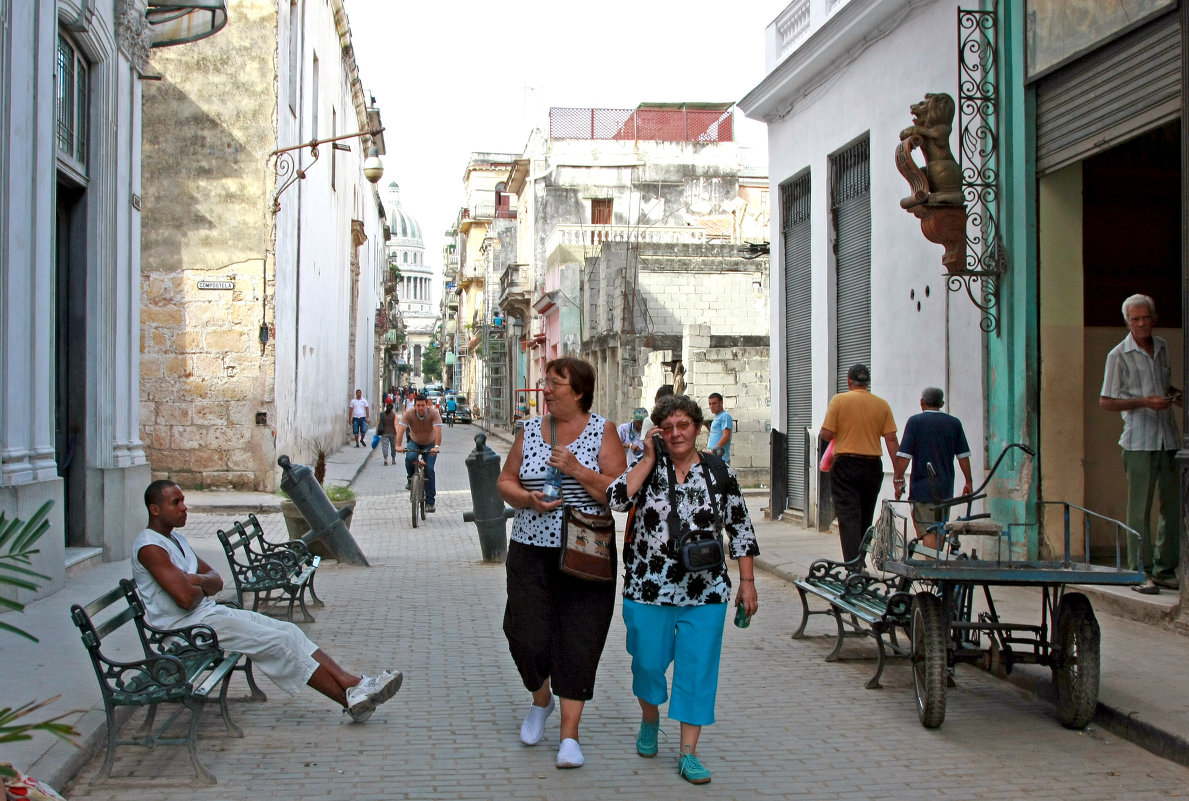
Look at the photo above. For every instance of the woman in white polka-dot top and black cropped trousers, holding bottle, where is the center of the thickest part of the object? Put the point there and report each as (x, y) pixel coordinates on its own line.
(557, 625)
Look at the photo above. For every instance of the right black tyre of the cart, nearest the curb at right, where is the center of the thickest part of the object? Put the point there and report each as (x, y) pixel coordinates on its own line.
(1075, 668)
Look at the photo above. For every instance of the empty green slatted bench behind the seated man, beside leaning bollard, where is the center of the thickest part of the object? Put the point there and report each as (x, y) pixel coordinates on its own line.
(270, 572)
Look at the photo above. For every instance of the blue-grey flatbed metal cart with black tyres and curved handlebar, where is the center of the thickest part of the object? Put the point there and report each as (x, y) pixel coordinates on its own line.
(945, 630)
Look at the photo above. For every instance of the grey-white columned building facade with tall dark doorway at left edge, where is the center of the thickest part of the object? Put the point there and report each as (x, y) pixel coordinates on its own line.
(71, 205)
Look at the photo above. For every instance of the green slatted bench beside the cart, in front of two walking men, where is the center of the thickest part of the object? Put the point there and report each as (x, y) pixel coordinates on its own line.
(863, 606)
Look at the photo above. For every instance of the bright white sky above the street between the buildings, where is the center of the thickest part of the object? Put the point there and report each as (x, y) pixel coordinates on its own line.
(452, 78)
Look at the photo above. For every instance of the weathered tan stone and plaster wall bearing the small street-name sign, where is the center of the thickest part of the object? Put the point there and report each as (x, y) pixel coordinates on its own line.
(205, 375)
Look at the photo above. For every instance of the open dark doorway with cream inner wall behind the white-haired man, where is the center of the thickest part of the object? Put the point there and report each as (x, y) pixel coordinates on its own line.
(1110, 228)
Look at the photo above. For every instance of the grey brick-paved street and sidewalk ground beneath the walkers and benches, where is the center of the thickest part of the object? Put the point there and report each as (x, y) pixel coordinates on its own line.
(789, 726)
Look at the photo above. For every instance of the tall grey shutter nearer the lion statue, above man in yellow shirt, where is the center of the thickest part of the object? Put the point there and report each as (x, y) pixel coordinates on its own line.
(851, 200)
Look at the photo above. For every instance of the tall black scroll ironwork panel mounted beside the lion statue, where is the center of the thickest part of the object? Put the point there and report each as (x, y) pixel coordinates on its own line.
(986, 261)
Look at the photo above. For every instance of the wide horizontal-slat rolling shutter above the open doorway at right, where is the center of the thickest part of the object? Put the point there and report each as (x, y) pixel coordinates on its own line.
(1112, 94)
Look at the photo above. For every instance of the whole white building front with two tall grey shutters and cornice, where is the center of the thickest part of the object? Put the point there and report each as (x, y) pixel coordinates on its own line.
(854, 280)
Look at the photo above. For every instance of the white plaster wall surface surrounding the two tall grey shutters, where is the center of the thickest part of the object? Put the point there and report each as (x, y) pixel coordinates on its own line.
(938, 344)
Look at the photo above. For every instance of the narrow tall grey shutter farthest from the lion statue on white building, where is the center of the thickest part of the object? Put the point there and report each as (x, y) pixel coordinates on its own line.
(795, 201)
